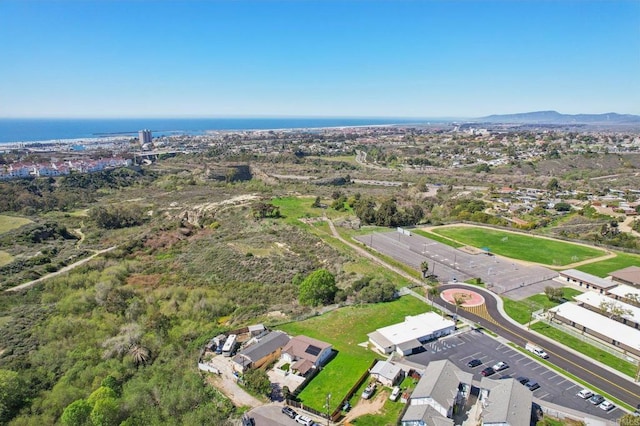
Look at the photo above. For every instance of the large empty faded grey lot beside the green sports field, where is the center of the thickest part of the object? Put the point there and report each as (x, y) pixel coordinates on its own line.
(502, 275)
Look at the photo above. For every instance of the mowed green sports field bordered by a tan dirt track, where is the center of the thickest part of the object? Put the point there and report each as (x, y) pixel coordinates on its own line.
(520, 246)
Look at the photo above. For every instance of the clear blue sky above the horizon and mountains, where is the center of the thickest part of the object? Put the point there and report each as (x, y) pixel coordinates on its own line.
(454, 58)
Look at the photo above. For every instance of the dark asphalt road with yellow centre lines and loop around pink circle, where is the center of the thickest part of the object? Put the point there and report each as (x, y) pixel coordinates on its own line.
(590, 372)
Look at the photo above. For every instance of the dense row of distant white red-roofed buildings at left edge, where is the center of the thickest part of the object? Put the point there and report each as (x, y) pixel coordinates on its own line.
(60, 168)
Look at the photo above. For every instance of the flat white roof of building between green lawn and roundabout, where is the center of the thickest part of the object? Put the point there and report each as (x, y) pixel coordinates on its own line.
(415, 328)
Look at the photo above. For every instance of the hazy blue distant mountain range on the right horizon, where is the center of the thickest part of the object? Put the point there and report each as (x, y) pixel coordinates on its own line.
(554, 117)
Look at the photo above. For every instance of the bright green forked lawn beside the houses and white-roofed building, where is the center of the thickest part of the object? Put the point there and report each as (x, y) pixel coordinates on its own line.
(345, 328)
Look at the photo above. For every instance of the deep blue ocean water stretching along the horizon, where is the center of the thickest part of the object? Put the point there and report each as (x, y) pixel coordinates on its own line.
(32, 130)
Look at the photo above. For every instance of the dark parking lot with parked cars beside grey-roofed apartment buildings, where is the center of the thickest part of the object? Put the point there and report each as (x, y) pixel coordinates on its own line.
(462, 348)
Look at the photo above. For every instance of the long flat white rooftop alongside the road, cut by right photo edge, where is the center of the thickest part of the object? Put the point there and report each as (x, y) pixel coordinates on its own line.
(599, 323)
